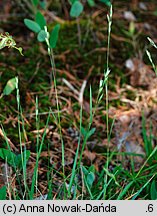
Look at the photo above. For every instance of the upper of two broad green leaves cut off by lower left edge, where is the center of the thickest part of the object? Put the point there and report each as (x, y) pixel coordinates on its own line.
(8, 156)
